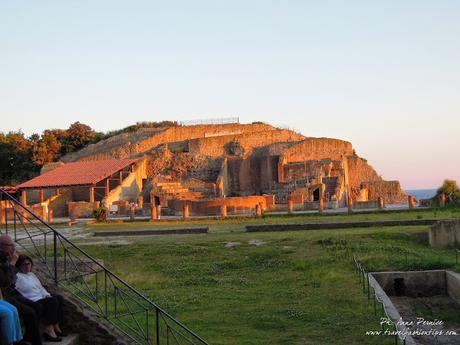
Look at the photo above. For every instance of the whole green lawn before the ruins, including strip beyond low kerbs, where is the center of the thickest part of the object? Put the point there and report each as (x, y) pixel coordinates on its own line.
(292, 288)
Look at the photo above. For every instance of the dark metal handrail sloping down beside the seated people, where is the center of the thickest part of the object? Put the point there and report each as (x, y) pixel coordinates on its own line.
(119, 285)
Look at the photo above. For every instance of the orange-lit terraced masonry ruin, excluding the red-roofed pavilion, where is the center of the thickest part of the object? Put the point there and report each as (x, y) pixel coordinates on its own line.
(240, 166)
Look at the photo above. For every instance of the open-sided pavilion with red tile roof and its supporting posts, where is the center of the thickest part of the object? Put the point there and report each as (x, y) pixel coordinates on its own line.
(86, 178)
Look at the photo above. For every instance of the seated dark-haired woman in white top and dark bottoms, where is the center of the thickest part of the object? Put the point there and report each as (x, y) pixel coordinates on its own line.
(30, 287)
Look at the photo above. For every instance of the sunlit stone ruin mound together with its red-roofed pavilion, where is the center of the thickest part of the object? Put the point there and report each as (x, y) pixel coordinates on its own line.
(216, 169)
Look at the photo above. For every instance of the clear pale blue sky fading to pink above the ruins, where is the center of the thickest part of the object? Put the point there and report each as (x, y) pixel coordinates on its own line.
(384, 75)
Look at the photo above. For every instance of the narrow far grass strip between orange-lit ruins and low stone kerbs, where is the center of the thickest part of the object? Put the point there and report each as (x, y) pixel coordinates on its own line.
(238, 224)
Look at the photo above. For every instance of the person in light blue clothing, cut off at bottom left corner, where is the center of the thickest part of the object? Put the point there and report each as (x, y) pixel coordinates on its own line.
(10, 327)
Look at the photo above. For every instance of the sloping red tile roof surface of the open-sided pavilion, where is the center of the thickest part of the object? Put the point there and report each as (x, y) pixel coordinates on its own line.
(77, 174)
